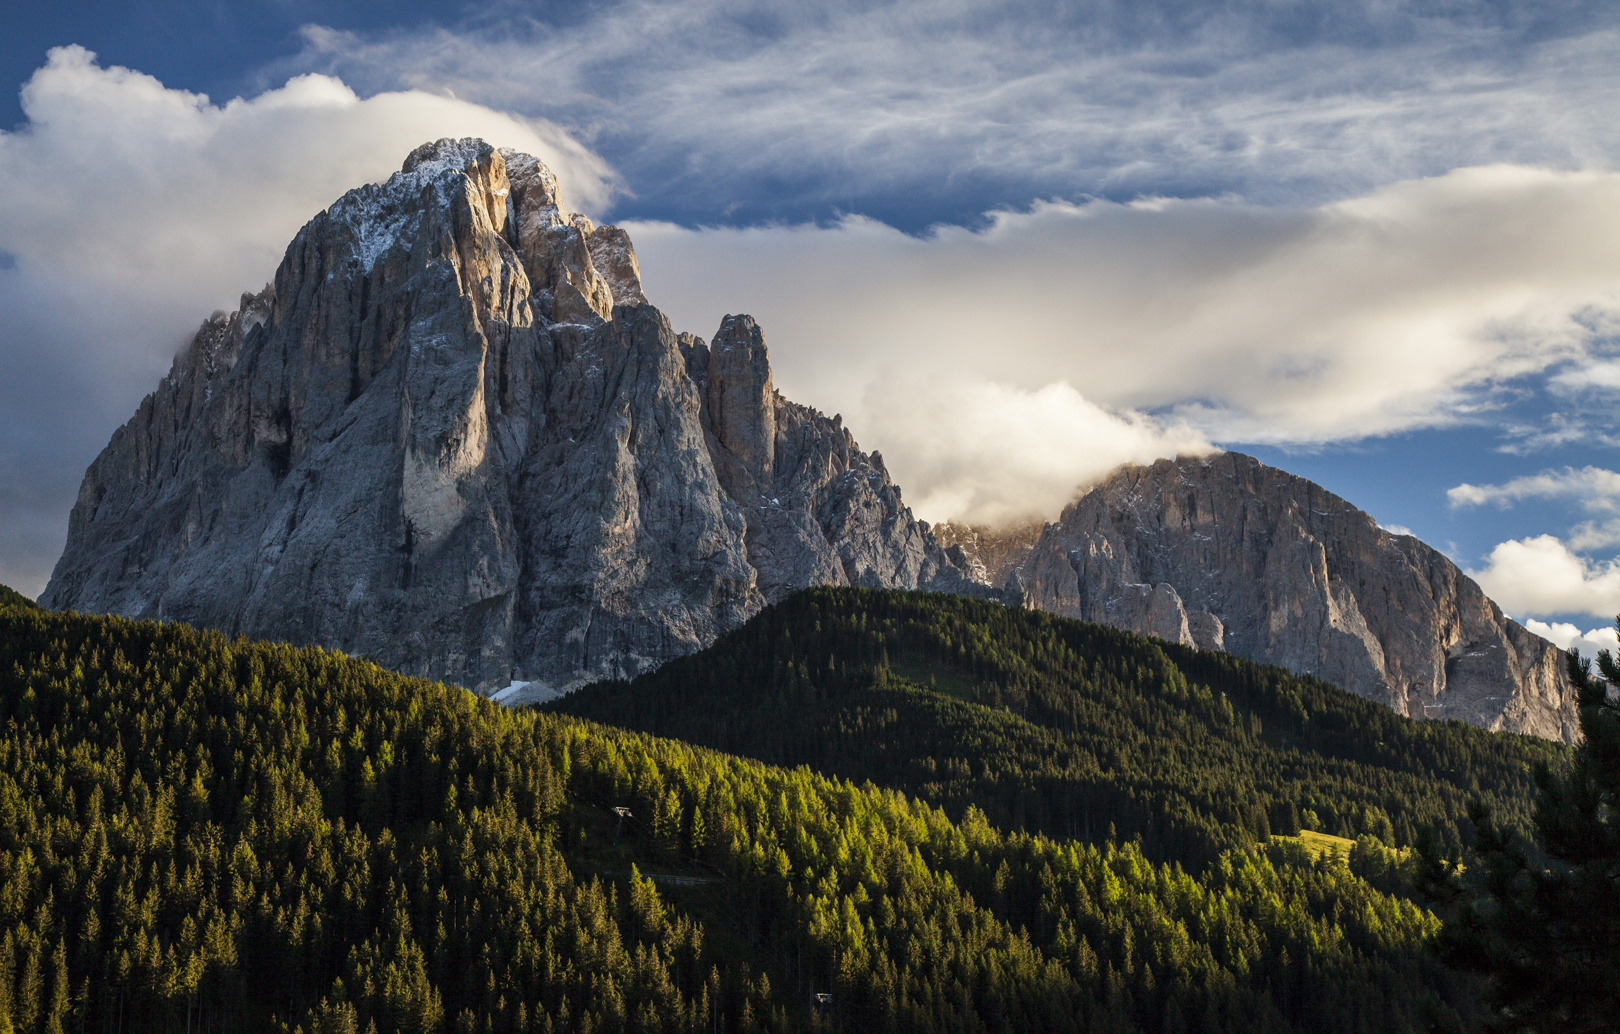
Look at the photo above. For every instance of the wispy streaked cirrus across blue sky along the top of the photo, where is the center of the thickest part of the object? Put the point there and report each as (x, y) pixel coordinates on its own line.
(744, 111)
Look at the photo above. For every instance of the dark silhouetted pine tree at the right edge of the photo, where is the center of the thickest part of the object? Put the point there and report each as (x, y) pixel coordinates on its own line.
(1548, 931)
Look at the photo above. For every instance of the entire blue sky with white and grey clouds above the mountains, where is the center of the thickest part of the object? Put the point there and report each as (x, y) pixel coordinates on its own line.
(1373, 242)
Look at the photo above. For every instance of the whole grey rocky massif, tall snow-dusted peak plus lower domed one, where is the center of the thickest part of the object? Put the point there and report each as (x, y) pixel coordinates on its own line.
(454, 438)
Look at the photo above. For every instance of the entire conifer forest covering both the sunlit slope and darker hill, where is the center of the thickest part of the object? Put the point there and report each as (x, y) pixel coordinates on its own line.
(863, 811)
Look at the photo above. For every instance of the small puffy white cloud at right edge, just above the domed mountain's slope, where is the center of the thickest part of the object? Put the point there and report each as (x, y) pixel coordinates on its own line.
(1541, 576)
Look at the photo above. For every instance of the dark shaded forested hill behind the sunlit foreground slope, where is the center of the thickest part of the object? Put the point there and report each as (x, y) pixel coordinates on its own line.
(1070, 728)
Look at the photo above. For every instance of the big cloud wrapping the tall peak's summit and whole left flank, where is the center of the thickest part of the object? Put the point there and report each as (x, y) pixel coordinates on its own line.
(132, 211)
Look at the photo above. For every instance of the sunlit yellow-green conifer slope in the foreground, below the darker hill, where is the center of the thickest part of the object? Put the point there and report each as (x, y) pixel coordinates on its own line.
(213, 835)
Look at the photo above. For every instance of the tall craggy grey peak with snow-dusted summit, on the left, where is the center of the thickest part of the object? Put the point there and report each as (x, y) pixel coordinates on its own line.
(454, 438)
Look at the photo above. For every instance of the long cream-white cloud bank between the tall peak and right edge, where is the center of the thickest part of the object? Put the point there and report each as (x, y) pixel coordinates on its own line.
(1159, 327)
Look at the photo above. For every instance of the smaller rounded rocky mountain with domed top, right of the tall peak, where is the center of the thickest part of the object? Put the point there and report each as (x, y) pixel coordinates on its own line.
(1229, 553)
